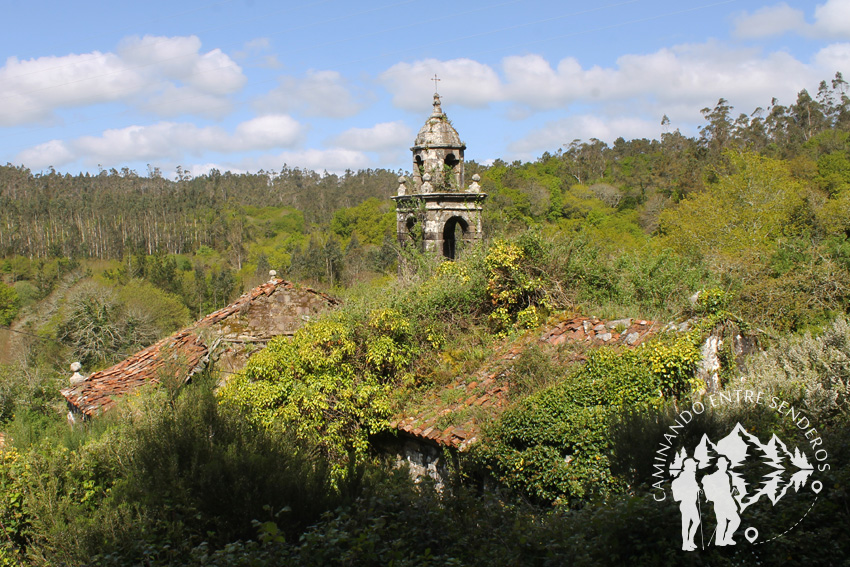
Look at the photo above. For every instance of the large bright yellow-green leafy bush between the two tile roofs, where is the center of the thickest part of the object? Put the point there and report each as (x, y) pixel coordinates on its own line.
(331, 384)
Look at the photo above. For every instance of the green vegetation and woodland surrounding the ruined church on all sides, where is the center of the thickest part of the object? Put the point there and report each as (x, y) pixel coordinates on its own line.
(277, 466)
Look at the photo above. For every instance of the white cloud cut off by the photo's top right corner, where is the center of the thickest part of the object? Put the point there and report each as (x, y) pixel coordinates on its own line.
(831, 19)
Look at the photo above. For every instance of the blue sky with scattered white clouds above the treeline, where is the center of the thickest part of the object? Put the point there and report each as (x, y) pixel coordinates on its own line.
(244, 85)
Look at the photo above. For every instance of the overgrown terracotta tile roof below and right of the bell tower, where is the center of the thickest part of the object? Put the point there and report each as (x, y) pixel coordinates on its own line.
(453, 416)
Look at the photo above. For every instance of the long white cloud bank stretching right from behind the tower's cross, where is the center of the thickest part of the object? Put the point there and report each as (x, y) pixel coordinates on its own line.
(693, 75)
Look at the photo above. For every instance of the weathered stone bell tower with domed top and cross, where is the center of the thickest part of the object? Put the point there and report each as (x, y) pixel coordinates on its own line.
(434, 209)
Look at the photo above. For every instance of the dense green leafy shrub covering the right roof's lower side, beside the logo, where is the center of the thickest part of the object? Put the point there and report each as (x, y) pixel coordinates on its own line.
(554, 446)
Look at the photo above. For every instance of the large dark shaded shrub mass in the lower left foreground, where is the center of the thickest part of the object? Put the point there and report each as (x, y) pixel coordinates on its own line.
(159, 479)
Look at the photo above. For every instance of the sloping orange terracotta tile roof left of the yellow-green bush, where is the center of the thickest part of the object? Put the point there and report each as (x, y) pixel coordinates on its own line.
(181, 354)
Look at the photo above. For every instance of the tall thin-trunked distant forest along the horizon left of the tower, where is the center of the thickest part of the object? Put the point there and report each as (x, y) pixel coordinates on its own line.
(114, 213)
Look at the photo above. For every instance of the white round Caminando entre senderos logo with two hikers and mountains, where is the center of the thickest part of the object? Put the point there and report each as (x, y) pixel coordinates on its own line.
(721, 479)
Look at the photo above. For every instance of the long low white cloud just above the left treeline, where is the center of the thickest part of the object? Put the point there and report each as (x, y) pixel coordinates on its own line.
(165, 140)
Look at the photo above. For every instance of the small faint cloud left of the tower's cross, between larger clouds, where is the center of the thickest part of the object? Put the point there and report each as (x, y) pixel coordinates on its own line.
(320, 93)
